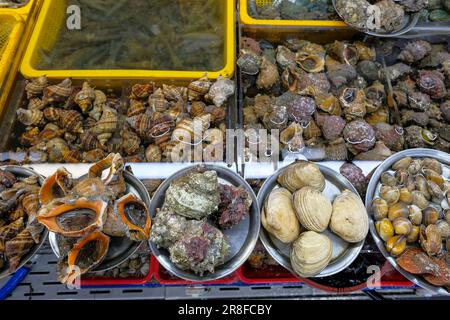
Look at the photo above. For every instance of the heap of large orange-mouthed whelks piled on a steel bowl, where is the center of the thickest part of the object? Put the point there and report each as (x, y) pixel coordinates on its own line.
(87, 213)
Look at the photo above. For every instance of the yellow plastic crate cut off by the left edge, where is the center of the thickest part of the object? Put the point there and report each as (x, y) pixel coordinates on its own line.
(11, 29)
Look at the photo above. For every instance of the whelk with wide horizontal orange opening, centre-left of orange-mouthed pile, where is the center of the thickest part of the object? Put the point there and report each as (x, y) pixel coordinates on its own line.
(75, 218)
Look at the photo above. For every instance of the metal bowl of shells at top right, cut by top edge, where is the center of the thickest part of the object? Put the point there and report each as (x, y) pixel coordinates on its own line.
(360, 15)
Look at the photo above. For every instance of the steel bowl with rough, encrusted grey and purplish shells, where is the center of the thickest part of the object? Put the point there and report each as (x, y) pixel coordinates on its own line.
(199, 244)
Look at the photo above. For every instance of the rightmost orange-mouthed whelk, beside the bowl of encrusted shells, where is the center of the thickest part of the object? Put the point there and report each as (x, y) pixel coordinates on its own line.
(135, 215)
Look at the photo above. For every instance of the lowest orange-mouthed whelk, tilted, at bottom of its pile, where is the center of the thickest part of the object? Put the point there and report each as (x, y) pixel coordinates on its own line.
(85, 255)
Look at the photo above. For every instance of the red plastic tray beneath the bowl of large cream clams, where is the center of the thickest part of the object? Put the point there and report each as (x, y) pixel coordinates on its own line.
(278, 274)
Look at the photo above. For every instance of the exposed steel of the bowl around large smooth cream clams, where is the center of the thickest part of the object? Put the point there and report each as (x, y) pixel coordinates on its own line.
(343, 253)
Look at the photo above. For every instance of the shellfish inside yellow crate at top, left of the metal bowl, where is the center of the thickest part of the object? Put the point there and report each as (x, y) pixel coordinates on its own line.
(293, 10)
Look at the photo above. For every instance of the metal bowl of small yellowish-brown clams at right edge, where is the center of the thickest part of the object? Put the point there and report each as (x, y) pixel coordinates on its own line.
(393, 251)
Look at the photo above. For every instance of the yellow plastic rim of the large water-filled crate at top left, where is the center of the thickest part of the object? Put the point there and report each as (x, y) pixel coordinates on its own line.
(52, 19)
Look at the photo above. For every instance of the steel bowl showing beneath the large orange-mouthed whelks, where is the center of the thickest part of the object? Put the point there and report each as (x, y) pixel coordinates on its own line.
(120, 248)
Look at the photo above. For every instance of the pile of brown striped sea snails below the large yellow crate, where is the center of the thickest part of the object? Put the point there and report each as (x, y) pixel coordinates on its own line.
(69, 124)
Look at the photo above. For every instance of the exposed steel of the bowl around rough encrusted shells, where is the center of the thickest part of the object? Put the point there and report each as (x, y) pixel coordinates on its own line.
(242, 237)
